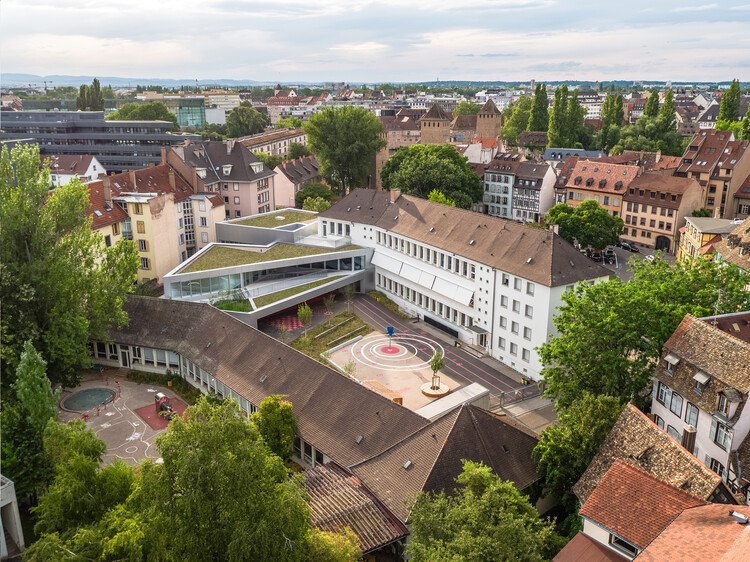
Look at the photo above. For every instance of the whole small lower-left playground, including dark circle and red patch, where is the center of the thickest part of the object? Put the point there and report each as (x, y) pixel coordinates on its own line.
(123, 413)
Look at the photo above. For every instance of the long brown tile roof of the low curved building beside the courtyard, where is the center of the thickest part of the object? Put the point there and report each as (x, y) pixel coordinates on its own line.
(331, 410)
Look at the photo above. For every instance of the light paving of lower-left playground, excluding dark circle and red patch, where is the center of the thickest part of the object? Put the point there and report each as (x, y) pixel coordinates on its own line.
(128, 437)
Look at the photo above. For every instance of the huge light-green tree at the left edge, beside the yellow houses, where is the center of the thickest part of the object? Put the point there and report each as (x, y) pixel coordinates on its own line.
(60, 286)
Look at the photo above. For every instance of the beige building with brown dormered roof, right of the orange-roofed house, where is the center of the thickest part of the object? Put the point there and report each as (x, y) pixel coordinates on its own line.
(654, 209)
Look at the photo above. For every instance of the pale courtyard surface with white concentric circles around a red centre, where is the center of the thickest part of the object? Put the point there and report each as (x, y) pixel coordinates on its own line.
(397, 366)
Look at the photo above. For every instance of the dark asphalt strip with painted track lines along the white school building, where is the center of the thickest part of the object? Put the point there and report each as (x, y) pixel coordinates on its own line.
(459, 364)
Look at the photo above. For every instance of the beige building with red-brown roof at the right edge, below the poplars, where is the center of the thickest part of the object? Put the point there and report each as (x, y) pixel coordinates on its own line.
(720, 164)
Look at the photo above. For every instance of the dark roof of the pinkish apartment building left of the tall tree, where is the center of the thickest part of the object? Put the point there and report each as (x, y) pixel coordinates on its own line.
(214, 155)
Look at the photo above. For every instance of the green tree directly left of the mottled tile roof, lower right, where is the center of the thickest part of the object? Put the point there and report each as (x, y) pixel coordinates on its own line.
(565, 449)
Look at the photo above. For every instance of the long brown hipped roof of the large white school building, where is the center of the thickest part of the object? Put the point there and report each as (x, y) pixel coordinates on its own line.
(532, 253)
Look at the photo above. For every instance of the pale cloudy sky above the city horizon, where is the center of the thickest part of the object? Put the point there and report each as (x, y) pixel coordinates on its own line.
(361, 40)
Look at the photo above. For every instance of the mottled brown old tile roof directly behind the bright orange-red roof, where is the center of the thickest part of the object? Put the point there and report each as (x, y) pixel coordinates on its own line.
(636, 439)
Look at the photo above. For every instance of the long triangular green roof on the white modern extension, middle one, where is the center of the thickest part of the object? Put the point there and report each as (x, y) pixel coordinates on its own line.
(222, 256)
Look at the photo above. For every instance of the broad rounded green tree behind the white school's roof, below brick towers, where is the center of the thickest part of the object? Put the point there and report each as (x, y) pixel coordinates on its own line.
(420, 169)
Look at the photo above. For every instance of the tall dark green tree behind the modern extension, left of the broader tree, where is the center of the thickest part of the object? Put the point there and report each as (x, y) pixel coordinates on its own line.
(345, 140)
